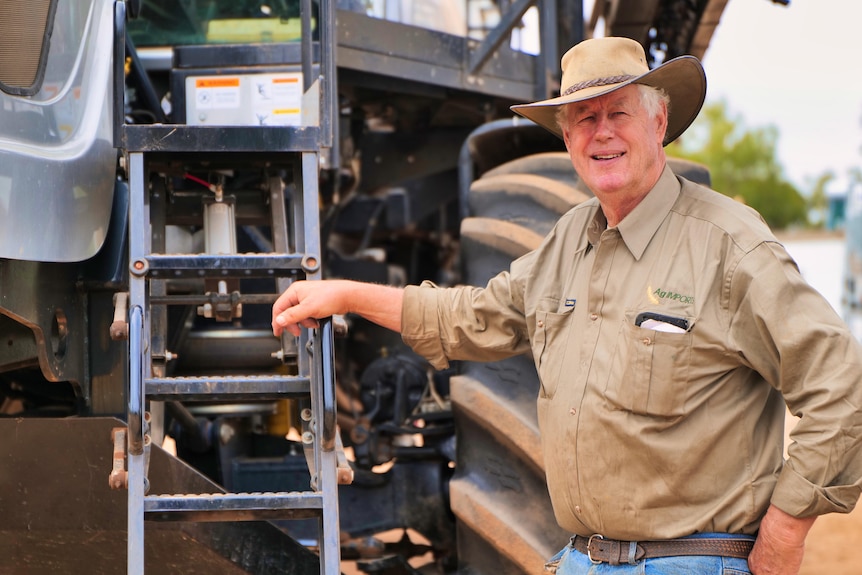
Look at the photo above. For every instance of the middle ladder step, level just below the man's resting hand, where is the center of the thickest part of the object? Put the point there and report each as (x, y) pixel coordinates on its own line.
(230, 387)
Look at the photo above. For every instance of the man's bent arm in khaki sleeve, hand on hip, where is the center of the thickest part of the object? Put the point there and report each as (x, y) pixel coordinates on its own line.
(791, 336)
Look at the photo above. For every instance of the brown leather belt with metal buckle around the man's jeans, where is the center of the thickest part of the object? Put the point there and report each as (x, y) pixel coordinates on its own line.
(601, 550)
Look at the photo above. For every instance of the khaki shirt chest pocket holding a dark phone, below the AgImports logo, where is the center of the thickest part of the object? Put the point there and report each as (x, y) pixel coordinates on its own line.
(649, 371)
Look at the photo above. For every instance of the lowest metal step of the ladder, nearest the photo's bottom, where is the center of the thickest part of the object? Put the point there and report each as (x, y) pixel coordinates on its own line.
(233, 506)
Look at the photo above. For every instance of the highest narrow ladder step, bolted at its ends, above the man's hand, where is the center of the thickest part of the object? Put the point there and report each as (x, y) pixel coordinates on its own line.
(220, 266)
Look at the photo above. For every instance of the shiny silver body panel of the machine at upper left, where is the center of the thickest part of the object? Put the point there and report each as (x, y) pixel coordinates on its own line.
(57, 161)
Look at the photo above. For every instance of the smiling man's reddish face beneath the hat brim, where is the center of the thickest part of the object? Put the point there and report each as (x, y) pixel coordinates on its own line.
(615, 146)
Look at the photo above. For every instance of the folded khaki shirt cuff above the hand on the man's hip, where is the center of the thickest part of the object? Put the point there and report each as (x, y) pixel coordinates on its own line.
(798, 497)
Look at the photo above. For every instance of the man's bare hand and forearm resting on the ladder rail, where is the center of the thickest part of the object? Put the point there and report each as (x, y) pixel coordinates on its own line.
(304, 302)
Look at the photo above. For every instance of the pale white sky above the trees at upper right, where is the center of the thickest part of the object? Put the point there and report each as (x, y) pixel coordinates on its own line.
(797, 68)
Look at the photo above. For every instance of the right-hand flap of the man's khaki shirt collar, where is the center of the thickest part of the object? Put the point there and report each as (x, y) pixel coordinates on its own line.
(641, 224)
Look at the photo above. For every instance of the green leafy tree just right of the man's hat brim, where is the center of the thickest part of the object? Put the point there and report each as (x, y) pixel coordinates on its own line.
(743, 165)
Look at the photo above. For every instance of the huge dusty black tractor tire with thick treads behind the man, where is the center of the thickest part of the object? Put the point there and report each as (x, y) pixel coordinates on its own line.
(498, 494)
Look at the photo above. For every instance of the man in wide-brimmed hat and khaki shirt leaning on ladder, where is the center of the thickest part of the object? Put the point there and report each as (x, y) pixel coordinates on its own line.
(667, 325)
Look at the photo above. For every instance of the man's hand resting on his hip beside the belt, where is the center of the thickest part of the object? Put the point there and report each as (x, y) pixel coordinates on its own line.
(780, 544)
